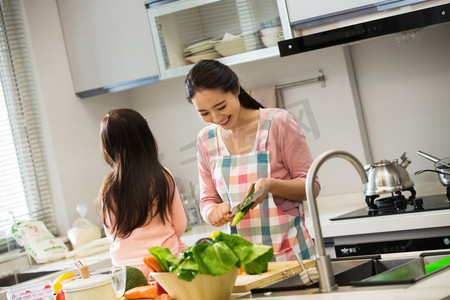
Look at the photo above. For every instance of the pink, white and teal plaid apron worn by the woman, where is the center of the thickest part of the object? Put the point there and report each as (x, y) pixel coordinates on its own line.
(265, 224)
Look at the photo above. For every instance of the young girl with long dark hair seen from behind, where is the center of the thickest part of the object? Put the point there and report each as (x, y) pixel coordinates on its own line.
(139, 201)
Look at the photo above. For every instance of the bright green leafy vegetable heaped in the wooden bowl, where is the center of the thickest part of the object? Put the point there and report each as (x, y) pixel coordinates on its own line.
(226, 251)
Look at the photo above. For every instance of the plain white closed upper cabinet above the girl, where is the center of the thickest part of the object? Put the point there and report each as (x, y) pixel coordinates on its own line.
(109, 45)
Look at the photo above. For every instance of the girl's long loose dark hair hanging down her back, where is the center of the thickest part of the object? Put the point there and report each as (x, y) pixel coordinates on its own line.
(138, 188)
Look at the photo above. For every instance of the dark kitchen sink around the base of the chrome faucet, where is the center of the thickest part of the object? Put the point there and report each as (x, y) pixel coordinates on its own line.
(361, 272)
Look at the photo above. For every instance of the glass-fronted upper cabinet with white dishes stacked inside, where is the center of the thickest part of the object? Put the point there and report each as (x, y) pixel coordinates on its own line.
(231, 31)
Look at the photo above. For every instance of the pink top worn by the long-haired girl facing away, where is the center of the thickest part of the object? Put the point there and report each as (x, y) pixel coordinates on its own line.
(130, 251)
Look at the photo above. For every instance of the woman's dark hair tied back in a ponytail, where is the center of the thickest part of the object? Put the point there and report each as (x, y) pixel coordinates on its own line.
(211, 74)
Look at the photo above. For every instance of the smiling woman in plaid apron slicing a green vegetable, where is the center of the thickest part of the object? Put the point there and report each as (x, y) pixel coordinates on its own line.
(247, 143)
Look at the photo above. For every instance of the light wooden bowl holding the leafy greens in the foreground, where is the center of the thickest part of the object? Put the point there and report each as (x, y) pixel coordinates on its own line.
(201, 287)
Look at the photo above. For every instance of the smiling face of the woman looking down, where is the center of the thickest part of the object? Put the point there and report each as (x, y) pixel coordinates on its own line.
(215, 106)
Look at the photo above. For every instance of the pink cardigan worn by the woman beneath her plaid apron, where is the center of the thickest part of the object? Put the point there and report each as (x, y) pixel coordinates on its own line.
(289, 158)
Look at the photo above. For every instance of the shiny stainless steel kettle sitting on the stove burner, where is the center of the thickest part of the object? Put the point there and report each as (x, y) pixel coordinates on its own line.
(387, 177)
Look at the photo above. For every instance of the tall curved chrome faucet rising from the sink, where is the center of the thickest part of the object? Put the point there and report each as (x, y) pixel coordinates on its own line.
(327, 282)
